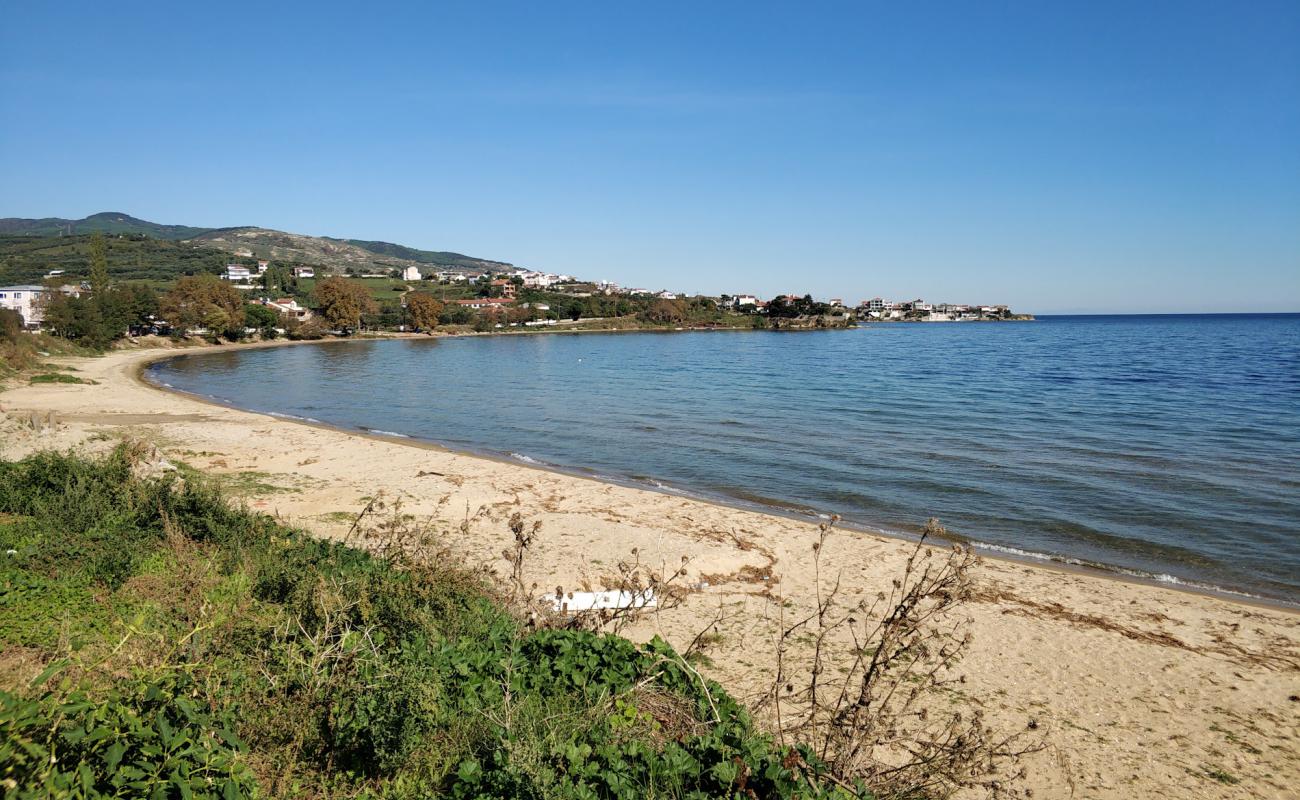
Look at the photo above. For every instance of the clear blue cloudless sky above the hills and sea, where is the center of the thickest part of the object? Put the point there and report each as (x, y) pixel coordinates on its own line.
(1059, 157)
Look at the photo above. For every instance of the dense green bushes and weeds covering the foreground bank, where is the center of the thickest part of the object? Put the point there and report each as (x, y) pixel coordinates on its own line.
(176, 646)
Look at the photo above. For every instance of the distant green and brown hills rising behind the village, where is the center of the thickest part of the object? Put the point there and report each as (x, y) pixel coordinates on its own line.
(23, 262)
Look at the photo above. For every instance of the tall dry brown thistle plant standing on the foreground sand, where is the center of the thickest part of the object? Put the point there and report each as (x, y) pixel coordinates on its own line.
(883, 715)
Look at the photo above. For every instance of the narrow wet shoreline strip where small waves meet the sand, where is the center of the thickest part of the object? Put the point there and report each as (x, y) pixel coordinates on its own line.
(1061, 564)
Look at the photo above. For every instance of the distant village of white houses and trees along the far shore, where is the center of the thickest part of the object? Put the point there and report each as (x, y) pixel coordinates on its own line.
(296, 300)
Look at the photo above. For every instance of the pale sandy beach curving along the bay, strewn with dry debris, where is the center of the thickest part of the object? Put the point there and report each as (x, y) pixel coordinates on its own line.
(1136, 690)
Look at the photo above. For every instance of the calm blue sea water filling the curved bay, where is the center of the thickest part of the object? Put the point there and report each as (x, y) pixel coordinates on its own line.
(1164, 447)
